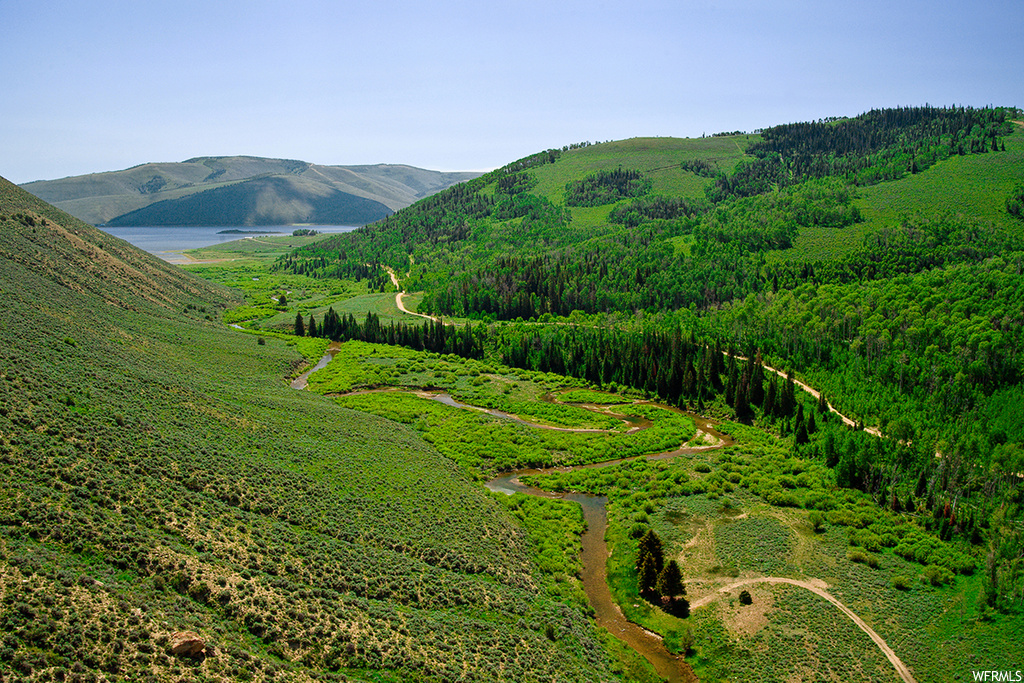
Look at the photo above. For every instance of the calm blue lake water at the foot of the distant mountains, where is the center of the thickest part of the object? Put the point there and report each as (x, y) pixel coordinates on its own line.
(169, 242)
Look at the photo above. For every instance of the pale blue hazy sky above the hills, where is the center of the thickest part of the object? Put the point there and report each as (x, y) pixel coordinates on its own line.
(103, 86)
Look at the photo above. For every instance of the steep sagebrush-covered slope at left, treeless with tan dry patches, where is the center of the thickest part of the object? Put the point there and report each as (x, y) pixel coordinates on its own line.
(159, 477)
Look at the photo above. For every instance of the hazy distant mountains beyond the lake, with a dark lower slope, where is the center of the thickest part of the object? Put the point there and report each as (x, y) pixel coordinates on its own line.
(243, 191)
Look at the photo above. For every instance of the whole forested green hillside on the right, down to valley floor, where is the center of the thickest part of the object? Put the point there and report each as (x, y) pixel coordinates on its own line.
(908, 313)
